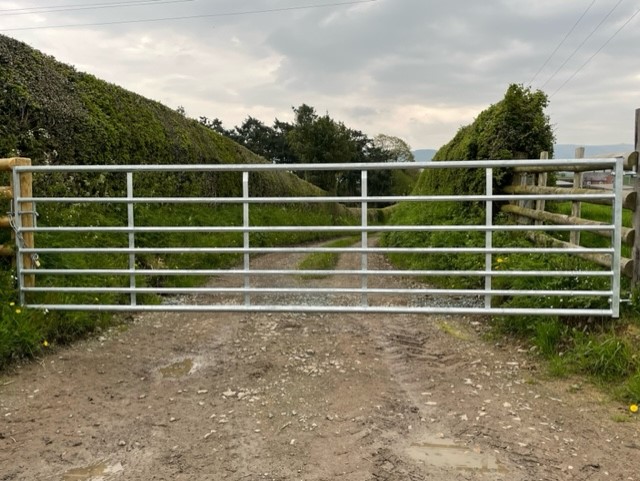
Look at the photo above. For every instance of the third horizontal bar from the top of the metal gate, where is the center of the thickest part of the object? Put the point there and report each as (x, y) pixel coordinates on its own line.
(322, 228)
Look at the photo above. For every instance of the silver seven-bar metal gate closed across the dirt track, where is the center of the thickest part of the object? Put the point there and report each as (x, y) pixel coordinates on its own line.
(25, 270)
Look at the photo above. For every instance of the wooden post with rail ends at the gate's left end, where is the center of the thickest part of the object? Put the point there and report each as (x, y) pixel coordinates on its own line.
(27, 216)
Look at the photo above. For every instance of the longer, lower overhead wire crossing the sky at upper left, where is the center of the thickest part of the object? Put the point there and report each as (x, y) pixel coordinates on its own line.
(193, 17)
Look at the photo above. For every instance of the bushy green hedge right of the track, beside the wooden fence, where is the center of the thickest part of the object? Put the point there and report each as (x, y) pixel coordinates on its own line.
(514, 127)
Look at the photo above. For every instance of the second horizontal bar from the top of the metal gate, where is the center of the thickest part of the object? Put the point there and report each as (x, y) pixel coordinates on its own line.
(601, 195)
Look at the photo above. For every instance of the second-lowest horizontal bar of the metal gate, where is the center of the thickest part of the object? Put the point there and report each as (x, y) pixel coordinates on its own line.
(319, 290)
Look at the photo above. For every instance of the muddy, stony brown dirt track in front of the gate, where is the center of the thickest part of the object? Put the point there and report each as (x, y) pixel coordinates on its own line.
(304, 397)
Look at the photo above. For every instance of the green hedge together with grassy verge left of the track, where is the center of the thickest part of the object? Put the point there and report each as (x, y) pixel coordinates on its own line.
(53, 114)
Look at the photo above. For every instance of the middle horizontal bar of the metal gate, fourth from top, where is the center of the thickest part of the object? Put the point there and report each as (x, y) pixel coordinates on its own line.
(307, 250)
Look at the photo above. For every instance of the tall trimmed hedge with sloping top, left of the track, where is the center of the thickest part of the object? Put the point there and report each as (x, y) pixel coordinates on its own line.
(54, 114)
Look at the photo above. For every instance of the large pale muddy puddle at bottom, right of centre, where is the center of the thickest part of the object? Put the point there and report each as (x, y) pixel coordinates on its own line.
(442, 453)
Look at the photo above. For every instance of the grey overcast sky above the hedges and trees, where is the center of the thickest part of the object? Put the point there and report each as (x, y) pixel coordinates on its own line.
(417, 69)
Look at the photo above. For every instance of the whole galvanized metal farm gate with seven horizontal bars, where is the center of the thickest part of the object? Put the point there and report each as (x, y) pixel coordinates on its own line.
(364, 292)
